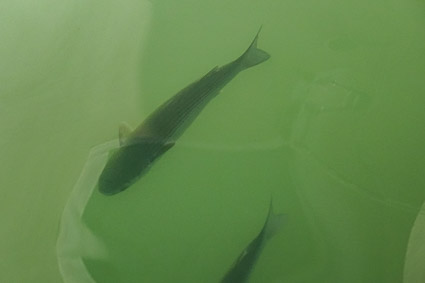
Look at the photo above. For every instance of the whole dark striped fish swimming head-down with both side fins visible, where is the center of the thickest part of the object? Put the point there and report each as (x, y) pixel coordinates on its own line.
(139, 148)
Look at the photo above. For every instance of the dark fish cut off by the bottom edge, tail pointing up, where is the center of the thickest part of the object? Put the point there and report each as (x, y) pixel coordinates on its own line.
(244, 264)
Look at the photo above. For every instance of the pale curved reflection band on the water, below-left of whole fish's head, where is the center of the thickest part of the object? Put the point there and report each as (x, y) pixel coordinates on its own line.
(75, 239)
